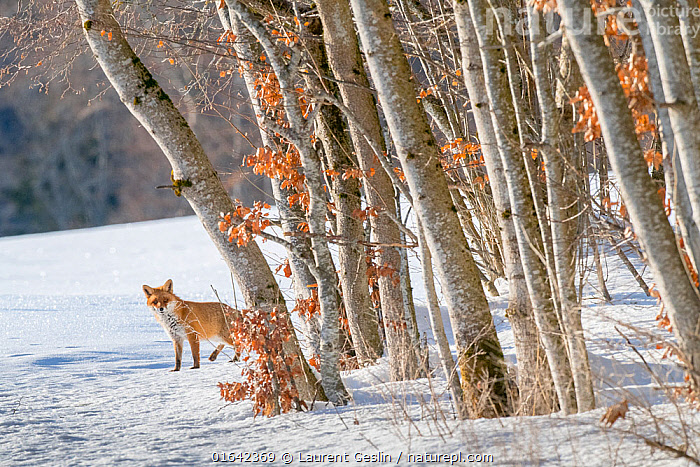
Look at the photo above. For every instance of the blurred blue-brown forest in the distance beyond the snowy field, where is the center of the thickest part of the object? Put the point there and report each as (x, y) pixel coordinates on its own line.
(72, 156)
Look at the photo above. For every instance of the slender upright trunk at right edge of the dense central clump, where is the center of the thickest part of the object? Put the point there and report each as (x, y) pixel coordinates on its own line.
(561, 196)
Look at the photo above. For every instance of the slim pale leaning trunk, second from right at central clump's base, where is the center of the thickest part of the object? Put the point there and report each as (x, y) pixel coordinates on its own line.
(522, 205)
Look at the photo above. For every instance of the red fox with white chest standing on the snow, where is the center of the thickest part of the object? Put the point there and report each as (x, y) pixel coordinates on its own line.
(192, 320)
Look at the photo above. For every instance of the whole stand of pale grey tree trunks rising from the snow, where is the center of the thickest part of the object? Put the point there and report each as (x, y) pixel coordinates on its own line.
(359, 92)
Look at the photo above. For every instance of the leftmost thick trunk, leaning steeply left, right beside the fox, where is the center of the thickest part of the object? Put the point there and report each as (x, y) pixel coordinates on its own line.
(147, 101)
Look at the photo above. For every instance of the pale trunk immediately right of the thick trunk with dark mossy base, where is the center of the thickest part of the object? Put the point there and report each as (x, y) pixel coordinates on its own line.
(534, 377)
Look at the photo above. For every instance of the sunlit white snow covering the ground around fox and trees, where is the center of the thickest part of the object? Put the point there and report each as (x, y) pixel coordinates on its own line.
(84, 374)
